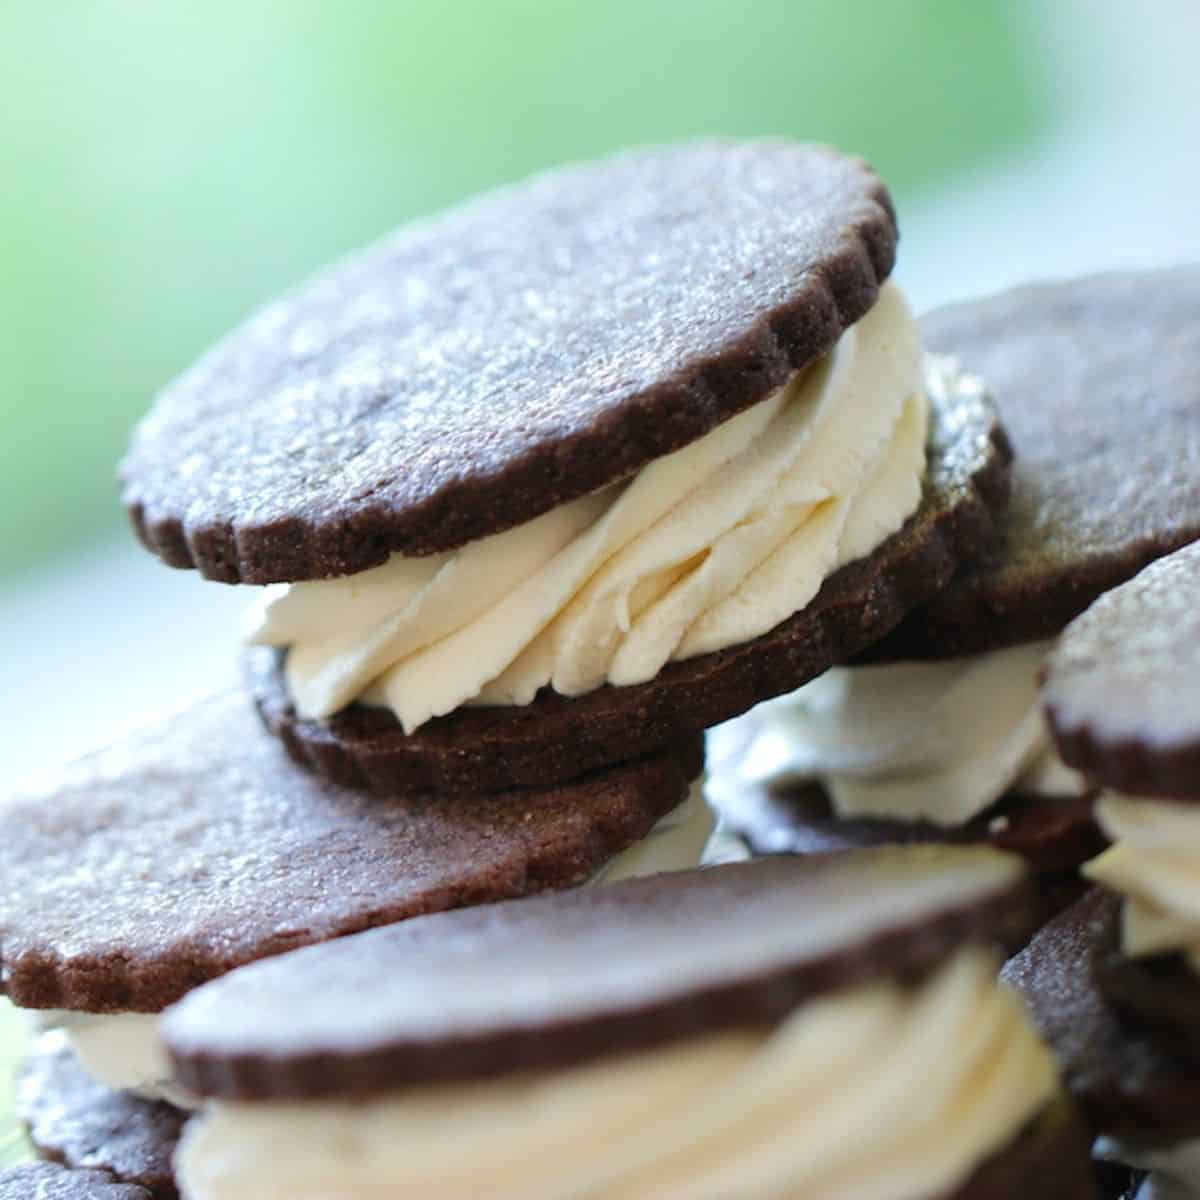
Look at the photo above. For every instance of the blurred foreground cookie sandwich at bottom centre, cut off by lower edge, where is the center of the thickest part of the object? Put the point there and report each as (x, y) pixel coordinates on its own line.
(838, 1030)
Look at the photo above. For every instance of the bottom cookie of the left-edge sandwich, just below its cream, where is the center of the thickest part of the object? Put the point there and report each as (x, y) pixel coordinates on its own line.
(76, 1121)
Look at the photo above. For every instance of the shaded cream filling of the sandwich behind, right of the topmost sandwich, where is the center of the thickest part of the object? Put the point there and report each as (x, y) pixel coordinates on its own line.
(916, 741)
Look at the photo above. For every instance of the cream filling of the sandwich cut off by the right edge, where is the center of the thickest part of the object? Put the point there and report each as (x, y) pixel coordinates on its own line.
(1154, 863)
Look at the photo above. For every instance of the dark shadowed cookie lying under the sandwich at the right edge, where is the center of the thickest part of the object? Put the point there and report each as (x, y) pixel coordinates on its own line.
(1125, 1081)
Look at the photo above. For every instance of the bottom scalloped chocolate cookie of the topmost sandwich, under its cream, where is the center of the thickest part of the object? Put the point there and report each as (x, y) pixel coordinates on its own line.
(556, 739)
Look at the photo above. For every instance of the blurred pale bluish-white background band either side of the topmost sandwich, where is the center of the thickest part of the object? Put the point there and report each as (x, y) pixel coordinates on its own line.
(93, 646)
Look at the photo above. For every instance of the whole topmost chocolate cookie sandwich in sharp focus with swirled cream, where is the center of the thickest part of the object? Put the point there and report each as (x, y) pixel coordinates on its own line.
(575, 471)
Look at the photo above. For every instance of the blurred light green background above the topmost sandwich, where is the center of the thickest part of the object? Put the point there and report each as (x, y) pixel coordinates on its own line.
(166, 167)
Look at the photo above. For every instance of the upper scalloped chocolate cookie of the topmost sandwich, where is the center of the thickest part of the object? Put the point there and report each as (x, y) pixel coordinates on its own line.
(473, 371)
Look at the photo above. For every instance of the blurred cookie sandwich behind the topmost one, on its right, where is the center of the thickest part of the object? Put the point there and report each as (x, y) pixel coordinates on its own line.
(938, 733)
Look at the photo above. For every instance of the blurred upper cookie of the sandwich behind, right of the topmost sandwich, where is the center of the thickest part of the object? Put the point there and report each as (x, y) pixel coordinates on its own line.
(1099, 382)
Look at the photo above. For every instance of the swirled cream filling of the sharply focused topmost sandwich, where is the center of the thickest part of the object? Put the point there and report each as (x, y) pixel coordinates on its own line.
(706, 548)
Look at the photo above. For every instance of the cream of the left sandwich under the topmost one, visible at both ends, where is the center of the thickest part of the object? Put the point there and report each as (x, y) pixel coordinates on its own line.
(124, 1051)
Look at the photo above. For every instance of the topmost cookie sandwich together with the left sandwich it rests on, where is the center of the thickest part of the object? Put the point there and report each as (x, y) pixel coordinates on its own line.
(535, 493)
